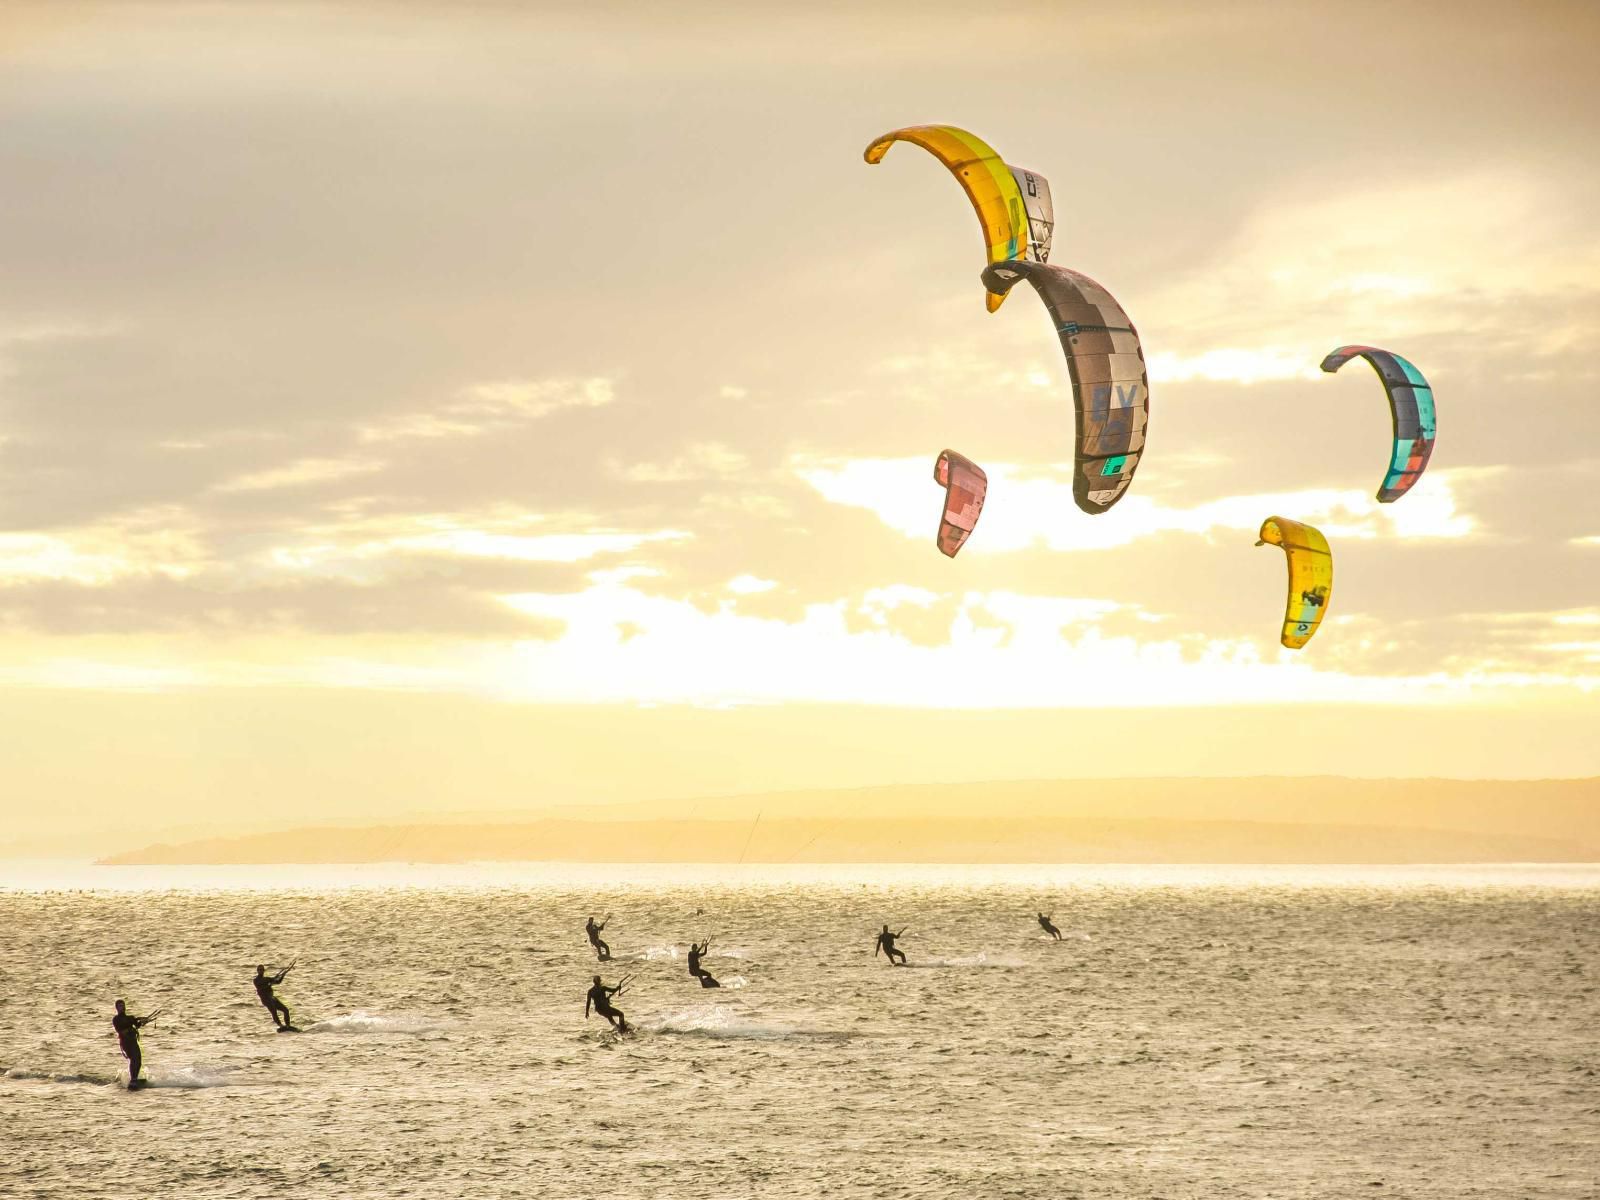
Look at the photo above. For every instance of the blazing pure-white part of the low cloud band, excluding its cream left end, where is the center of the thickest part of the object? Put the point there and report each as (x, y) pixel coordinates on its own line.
(999, 650)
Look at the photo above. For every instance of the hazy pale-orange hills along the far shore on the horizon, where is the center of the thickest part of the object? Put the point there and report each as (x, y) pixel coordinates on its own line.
(1049, 822)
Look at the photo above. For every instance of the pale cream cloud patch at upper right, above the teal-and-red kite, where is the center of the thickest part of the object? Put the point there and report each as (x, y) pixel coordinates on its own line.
(1383, 262)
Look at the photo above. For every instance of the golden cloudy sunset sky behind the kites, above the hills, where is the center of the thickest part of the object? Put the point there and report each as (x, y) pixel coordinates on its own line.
(466, 407)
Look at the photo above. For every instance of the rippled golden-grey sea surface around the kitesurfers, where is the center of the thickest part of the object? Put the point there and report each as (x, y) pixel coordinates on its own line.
(1198, 1033)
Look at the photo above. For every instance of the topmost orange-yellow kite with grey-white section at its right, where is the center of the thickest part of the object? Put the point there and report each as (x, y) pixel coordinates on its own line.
(1014, 206)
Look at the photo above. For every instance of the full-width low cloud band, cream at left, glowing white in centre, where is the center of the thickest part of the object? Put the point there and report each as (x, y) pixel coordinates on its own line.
(894, 647)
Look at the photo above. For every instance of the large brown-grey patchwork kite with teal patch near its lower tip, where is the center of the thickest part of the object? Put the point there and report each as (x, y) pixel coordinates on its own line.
(1106, 364)
